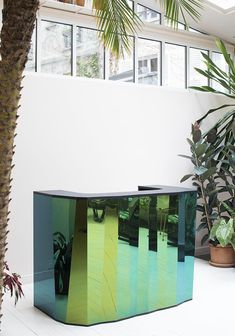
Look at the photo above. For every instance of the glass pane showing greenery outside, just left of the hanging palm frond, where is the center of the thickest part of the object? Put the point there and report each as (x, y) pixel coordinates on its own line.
(90, 54)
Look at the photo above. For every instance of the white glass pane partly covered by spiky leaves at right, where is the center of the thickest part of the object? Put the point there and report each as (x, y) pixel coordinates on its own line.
(196, 61)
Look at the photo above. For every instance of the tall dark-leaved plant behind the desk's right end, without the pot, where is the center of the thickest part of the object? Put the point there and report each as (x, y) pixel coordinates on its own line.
(213, 177)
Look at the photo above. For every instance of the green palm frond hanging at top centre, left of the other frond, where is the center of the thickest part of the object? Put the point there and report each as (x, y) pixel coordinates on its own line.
(116, 22)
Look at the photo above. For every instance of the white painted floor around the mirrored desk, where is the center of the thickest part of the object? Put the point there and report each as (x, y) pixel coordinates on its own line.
(210, 313)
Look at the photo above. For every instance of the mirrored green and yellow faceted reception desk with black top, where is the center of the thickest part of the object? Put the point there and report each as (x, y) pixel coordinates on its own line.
(106, 257)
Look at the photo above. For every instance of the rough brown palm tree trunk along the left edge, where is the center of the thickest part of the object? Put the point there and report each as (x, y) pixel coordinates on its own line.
(19, 18)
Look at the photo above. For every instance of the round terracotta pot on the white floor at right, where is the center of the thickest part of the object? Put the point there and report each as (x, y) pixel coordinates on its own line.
(222, 256)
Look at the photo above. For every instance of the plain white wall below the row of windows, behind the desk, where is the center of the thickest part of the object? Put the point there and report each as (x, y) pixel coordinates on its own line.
(91, 135)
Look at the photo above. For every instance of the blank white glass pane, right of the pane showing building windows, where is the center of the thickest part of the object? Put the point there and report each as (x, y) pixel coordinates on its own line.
(175, 60)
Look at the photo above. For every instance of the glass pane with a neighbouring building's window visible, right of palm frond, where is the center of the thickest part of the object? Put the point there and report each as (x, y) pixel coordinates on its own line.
(149, 61)
